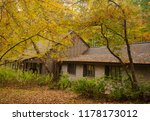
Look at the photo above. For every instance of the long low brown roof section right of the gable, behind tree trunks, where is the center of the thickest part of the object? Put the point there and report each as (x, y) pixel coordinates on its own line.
(140, 54)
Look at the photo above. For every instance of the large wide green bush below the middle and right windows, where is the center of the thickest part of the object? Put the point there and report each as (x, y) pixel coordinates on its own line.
(109, 89)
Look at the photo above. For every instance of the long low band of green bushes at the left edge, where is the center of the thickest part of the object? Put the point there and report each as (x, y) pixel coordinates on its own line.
(10, 77)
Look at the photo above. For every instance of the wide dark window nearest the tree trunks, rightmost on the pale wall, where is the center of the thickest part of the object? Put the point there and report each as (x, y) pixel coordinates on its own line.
(113, 72)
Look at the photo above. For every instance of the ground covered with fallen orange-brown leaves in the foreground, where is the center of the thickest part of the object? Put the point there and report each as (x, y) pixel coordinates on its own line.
(42, 95)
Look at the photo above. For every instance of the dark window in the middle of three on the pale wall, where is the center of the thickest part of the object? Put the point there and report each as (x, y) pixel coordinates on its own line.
(88, 70)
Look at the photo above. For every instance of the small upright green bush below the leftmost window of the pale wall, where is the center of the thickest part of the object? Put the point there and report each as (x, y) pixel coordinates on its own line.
(64, 82)
